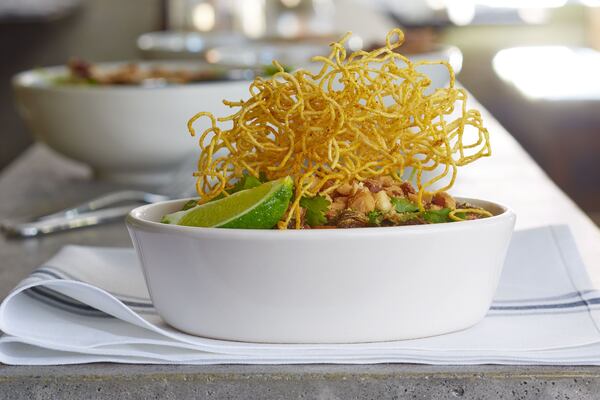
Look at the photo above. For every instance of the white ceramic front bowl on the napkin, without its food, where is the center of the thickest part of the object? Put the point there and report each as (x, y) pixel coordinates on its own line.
(321, 286)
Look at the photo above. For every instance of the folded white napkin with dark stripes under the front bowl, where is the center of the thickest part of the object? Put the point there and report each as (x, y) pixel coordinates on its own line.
(91, 304)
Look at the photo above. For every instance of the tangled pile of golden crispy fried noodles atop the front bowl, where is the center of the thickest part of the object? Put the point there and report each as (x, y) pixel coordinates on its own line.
(364, 114)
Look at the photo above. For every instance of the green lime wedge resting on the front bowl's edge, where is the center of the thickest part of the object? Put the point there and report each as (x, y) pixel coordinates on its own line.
(258, 208)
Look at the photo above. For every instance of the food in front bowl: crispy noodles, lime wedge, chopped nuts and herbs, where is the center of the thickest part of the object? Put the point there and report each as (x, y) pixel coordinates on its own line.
(338, 148)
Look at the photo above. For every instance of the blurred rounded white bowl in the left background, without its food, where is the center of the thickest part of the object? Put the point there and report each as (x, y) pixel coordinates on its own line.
(125, 133)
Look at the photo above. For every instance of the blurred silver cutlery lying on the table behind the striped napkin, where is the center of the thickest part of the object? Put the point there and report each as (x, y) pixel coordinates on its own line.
(98, 210)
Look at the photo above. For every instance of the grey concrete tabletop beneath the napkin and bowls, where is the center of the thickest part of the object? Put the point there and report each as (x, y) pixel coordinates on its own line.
(41, 182)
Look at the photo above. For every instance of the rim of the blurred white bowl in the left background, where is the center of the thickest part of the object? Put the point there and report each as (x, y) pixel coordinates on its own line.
(30, 79)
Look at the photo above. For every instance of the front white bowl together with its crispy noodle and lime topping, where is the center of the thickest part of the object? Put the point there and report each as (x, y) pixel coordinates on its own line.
(319, 216)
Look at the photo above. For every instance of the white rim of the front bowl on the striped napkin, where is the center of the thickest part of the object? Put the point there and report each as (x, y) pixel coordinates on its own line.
(134, 220)
